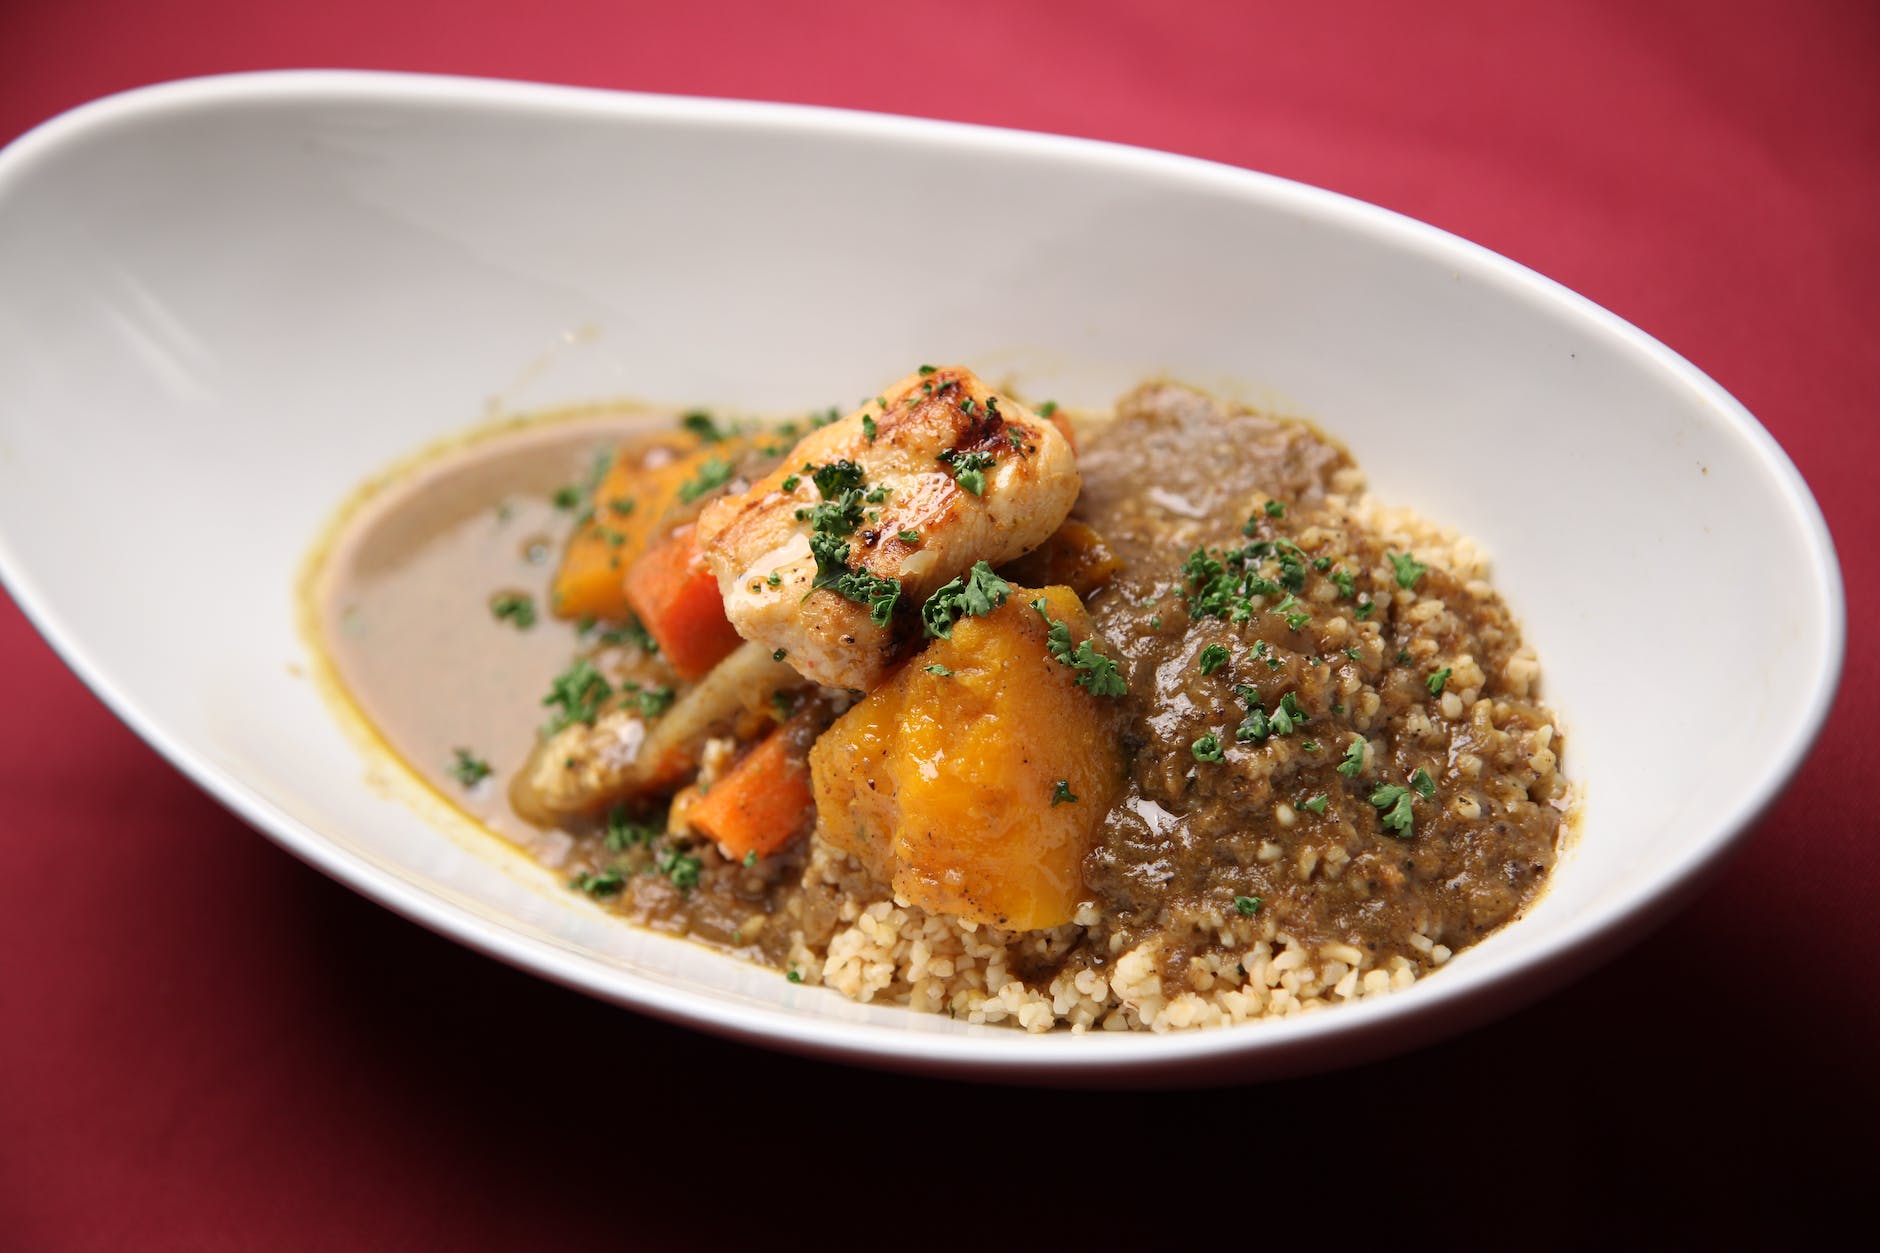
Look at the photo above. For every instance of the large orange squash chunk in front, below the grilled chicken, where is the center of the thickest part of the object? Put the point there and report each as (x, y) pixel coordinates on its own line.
(947, 782)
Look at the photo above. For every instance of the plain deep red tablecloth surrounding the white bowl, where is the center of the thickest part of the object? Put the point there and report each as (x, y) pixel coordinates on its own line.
(208, 1045)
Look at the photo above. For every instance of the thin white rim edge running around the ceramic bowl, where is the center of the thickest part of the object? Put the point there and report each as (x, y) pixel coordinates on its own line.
(1270, 1049)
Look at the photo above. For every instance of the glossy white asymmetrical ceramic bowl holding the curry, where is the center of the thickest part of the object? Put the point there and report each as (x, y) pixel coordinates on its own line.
(227, 302)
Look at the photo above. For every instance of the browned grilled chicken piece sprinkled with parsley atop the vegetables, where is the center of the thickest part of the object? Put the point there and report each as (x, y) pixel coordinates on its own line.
(916, 486)
